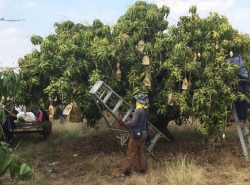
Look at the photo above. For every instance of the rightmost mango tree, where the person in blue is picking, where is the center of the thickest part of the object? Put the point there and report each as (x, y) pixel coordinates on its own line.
(197, 61)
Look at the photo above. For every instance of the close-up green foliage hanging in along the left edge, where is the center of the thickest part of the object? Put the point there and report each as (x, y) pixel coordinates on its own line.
(9, 86)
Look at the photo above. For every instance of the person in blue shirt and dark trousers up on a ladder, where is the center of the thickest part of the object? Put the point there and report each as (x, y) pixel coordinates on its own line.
(241, 106)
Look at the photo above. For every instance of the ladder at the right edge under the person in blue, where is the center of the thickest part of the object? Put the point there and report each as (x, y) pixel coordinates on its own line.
(243, 131)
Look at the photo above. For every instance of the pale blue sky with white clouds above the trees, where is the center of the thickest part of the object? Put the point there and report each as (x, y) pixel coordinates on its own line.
(40, 15)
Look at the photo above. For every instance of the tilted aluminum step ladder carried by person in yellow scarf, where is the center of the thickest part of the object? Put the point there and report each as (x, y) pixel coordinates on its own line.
(113, 108)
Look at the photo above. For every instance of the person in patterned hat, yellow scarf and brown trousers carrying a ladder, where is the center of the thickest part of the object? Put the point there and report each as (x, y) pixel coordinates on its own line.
(136, 145)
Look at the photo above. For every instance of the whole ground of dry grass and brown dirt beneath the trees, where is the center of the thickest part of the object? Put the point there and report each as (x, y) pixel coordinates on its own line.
(86, 155)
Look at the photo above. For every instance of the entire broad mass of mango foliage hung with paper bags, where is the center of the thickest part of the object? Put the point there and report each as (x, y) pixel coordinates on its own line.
(141, 53)
